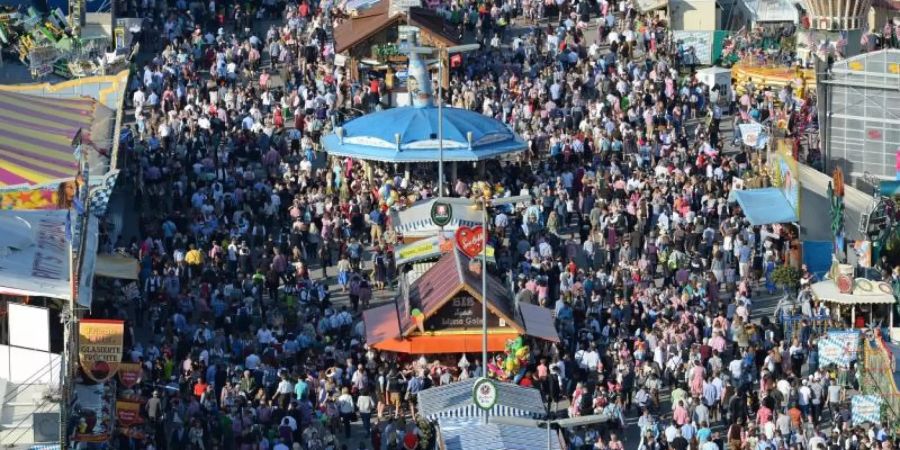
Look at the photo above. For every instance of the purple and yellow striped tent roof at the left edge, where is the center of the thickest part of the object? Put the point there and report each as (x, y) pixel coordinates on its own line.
(37, 136)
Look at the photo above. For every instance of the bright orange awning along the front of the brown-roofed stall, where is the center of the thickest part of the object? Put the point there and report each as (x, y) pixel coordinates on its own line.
(444, 343)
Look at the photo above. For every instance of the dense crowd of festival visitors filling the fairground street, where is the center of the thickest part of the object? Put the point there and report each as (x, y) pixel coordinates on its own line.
(258, 251)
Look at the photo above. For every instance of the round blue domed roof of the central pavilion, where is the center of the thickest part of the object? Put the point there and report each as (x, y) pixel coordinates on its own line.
(375, 136)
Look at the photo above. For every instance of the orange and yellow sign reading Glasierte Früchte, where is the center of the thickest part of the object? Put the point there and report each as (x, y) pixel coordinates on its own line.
(100, 345)
